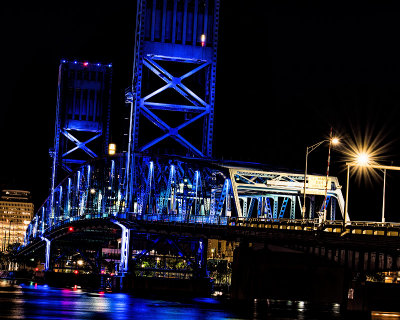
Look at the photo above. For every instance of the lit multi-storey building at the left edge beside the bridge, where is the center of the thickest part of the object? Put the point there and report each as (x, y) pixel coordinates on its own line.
(16, 211)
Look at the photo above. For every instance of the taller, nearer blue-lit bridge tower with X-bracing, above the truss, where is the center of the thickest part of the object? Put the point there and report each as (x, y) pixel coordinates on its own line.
(174, 76)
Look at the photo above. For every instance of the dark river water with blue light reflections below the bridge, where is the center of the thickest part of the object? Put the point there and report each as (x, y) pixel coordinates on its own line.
(43, 302)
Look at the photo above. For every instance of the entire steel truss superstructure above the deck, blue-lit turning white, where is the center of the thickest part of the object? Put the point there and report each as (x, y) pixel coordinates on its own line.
(195, 190)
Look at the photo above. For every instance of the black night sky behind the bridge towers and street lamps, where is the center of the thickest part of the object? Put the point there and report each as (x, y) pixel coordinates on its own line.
(287, 71)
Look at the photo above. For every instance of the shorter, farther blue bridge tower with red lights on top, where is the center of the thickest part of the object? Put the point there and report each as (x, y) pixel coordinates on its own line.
(82, 116)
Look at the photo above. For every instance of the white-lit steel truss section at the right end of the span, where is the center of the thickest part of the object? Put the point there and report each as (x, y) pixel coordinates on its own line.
(282, 188)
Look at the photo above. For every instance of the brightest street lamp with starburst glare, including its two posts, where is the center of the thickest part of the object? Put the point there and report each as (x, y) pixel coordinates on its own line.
(363, 160)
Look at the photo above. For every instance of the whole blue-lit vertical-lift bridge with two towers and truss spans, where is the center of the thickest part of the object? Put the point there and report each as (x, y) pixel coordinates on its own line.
(143, 201)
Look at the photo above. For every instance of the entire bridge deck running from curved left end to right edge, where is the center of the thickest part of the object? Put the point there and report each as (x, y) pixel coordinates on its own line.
(361, 246)
